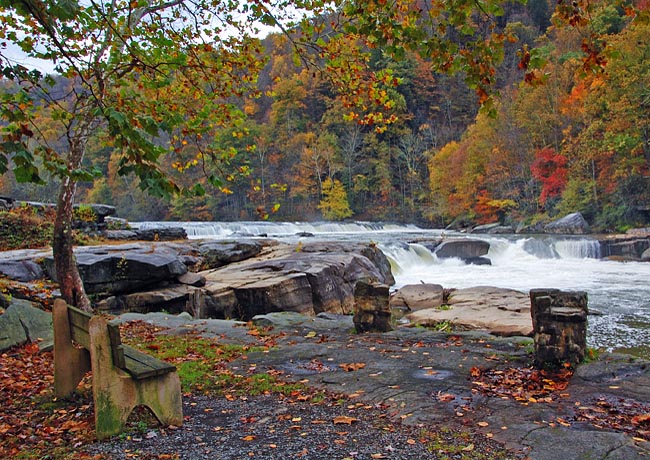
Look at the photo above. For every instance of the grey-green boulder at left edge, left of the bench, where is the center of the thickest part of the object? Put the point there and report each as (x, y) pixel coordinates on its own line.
(22, 322)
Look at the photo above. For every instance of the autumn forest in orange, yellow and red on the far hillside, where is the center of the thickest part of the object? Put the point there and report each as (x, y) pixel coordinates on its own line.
(569, 130)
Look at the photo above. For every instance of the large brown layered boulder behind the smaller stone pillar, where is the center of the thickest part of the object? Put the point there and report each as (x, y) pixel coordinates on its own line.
(316, 278)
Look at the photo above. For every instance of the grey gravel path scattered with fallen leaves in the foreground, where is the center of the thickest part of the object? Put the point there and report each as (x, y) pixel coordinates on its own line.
(273, 427)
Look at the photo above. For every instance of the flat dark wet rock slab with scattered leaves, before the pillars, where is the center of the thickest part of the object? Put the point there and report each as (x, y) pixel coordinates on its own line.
(426, 377)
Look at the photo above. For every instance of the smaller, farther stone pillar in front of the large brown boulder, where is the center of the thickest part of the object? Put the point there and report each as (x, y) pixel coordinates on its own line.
(371, 308)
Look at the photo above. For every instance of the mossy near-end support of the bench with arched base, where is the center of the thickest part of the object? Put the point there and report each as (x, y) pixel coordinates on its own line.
(116, 394)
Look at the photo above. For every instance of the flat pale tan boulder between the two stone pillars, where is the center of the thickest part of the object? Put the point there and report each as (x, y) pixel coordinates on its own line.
(499, 311)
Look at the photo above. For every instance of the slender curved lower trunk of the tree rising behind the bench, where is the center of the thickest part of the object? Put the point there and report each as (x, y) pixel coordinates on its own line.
(70, 284)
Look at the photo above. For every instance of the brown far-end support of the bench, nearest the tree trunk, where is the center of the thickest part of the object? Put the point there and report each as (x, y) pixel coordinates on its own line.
(70, 363)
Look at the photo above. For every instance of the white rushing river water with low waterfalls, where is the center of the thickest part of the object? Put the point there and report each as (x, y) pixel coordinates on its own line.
(618, 290)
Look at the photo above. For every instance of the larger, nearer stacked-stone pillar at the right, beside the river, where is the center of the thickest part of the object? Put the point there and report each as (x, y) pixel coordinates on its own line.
(559, 326)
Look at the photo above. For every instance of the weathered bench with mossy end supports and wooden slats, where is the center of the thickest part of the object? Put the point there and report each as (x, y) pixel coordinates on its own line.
(122, 377)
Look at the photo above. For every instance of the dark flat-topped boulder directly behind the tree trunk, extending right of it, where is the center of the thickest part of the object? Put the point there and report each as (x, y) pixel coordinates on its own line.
(124, 268)
